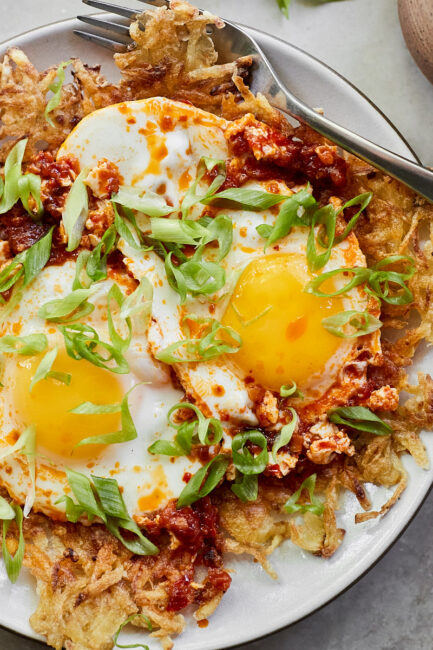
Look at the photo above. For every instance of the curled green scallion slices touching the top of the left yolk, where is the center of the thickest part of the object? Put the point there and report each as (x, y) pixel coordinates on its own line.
(83, 342)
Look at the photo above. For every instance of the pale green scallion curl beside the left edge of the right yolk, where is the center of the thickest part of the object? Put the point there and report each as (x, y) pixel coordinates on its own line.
(208, 346)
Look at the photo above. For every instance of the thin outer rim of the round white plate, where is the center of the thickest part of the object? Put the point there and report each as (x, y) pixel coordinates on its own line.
(9, 42)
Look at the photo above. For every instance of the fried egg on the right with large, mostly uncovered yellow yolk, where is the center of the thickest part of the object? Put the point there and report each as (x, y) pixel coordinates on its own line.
(283, 340)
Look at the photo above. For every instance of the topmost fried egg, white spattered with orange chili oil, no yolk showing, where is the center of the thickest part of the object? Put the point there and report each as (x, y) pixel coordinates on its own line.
(156, 143)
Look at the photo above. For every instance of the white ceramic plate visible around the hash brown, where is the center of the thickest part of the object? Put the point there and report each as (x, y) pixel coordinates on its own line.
(255, 605)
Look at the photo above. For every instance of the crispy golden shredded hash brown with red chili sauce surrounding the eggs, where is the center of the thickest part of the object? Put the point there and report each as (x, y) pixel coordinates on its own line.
(87, 581)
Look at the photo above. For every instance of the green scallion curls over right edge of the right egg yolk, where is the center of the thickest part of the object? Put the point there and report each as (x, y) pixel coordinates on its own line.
(388, 286)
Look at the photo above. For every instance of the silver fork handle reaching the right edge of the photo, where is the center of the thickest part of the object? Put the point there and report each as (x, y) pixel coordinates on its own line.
(415, 176)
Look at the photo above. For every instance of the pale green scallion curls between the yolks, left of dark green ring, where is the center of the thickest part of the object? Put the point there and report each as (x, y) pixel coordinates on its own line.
(206, 431)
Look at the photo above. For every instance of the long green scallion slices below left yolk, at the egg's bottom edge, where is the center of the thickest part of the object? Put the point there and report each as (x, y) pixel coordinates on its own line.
(103, 499)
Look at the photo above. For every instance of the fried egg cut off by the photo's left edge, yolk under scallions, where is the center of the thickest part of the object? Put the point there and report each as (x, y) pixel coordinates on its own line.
(147, 481)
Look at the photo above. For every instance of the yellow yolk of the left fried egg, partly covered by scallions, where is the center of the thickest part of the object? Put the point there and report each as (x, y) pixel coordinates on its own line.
(49, 403)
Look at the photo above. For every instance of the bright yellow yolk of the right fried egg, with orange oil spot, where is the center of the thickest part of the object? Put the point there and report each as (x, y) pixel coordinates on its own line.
(281, 326)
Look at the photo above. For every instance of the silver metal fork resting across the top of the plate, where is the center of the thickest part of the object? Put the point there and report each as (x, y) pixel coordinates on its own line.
(232, 42)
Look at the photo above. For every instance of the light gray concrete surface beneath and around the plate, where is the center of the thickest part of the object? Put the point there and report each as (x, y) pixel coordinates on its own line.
(391, 608)
